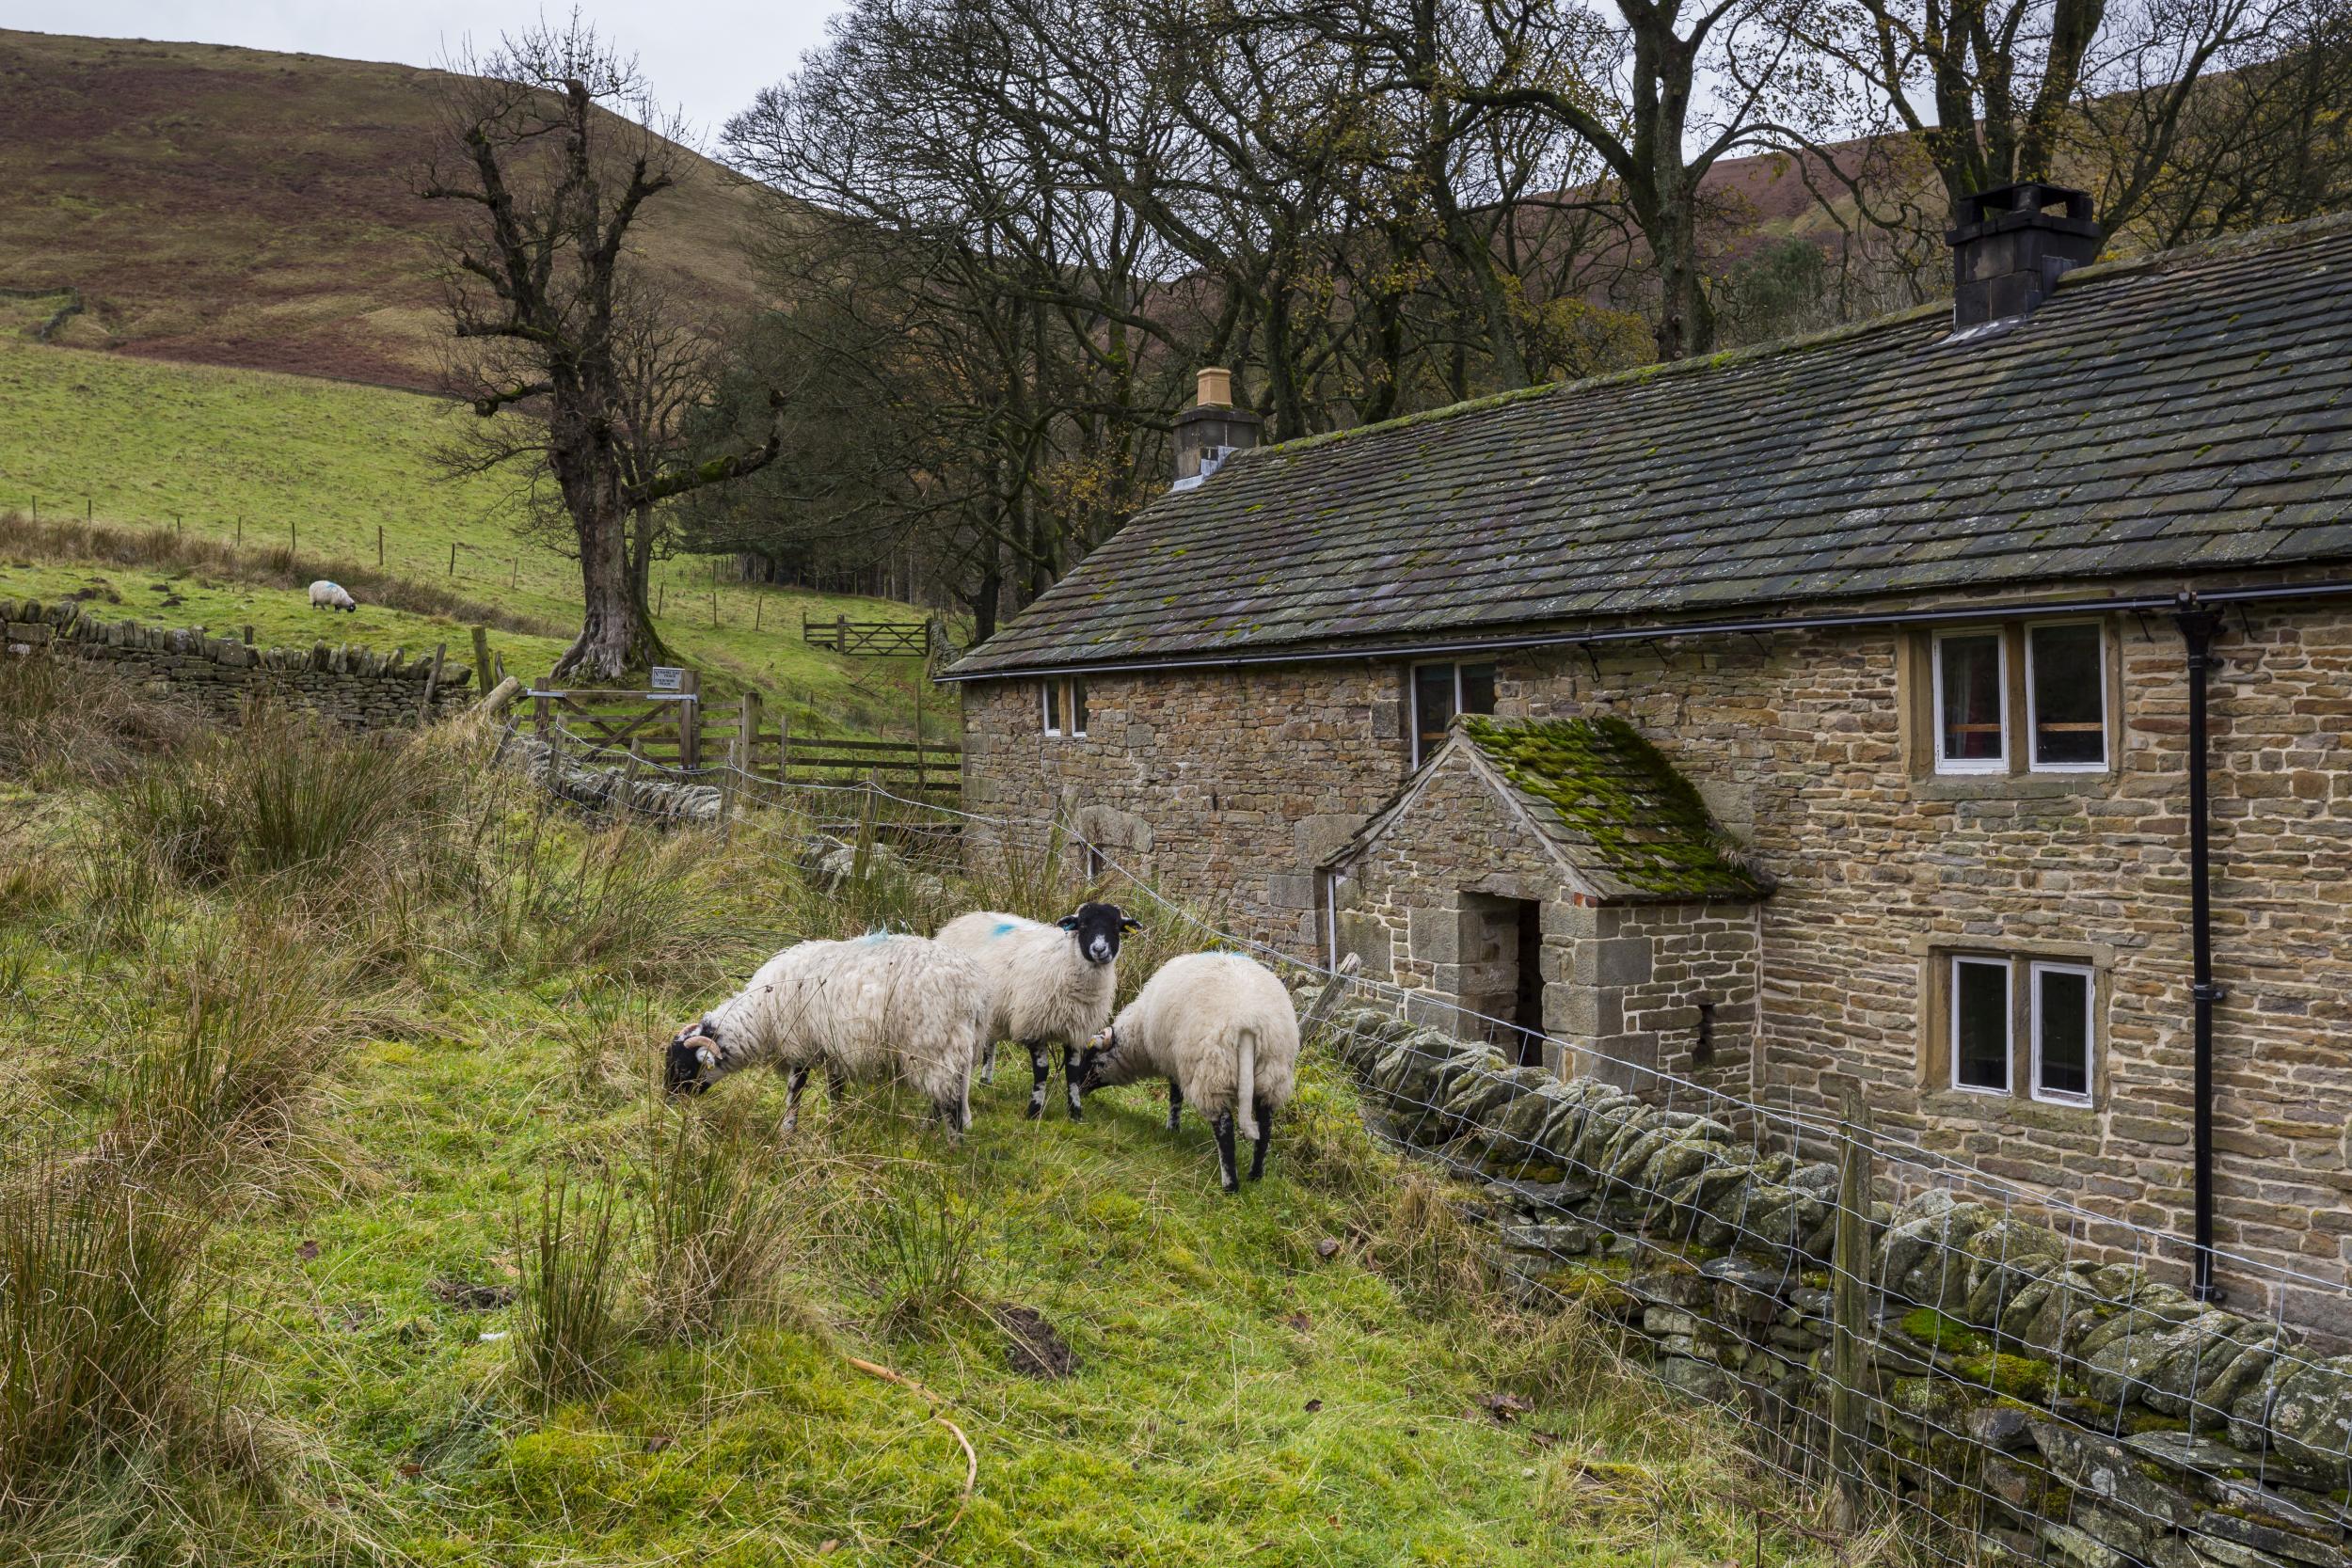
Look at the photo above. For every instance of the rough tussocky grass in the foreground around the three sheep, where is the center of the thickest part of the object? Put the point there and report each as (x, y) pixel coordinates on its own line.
(330, 1066)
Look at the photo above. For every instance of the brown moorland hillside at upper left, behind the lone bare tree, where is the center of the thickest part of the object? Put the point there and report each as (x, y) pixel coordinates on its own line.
(248, 208)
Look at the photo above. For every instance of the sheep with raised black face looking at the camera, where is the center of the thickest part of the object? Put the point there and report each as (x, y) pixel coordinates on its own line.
(1053, 984)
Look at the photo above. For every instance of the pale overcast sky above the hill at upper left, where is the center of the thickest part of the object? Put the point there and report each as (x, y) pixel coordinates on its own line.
(704, 58)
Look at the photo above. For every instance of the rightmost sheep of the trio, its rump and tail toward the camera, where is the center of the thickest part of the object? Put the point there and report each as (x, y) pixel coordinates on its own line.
(1222, 1031)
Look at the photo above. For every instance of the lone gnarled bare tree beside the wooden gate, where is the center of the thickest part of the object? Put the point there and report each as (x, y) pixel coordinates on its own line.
(552, 149)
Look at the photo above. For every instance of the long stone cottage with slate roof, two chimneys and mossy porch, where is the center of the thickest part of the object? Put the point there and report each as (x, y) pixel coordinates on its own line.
(1949, 709)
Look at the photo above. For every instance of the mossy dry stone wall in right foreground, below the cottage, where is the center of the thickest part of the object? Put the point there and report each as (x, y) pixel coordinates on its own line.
(2024, 1395)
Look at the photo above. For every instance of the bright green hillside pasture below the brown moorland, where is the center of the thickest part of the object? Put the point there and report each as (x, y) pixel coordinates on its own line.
(316, 467)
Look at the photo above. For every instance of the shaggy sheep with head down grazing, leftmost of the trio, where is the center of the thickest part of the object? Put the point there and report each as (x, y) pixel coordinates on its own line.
(864, 1010)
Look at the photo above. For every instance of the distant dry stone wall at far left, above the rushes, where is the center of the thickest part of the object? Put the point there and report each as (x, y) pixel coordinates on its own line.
(347, 685)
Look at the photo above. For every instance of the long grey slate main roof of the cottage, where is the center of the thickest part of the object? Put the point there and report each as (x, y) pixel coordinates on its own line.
(2184, 413)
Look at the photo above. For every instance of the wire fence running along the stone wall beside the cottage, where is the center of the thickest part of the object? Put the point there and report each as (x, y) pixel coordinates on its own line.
(2007, 1374)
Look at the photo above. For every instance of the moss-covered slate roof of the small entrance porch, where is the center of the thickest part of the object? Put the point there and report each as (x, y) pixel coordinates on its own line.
(1605, 803)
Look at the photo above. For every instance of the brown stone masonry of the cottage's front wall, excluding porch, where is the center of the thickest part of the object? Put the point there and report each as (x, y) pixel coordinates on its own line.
(1805, 746)
